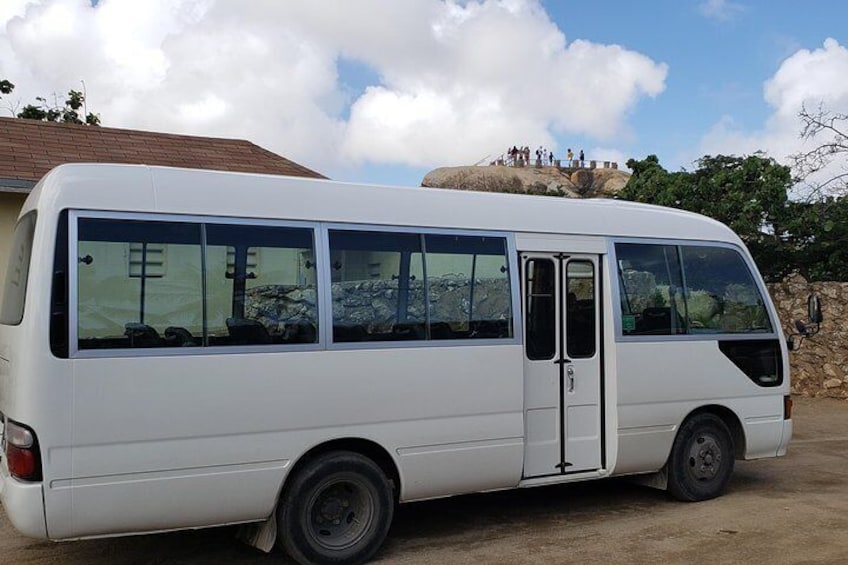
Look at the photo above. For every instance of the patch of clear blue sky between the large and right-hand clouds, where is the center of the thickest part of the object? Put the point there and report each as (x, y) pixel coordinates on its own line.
(718, 61)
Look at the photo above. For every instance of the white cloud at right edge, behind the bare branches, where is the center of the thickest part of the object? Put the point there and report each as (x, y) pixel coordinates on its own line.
(807, 77)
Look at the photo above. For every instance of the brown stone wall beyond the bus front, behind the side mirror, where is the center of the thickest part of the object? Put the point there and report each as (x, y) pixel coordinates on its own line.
(820, 365)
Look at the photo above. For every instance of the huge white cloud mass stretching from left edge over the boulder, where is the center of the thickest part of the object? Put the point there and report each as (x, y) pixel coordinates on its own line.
(455, 80)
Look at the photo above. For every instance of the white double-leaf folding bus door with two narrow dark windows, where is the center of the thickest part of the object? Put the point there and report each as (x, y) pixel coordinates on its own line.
(562, 363)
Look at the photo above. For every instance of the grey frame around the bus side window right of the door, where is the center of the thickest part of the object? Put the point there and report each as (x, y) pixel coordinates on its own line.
(616, 290)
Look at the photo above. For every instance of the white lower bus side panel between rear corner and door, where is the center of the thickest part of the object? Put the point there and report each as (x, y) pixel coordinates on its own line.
(198, 440)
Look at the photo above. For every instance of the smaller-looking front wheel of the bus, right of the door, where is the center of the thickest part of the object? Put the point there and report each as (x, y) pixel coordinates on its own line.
(701, 459)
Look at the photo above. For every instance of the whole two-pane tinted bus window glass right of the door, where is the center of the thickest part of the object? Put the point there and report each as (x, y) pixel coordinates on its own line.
(669, 290)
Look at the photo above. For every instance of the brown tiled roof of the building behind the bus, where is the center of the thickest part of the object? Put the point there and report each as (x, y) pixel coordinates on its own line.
(28, 149)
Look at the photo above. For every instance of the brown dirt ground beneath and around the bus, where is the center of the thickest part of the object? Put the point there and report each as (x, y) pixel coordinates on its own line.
(788, 510)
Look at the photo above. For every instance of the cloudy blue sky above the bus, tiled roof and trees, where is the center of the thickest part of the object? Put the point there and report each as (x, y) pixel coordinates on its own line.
(385, 90)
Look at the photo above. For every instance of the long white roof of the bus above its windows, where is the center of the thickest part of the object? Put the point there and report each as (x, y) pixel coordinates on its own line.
(146, 189)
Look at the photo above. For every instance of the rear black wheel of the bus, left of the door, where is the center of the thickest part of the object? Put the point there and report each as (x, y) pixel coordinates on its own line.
(336, 510)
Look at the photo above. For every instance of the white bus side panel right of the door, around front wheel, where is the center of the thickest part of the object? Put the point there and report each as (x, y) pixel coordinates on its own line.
(660, 383)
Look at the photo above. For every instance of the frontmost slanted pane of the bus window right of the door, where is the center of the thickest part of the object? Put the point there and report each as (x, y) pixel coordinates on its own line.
(721, 293)
